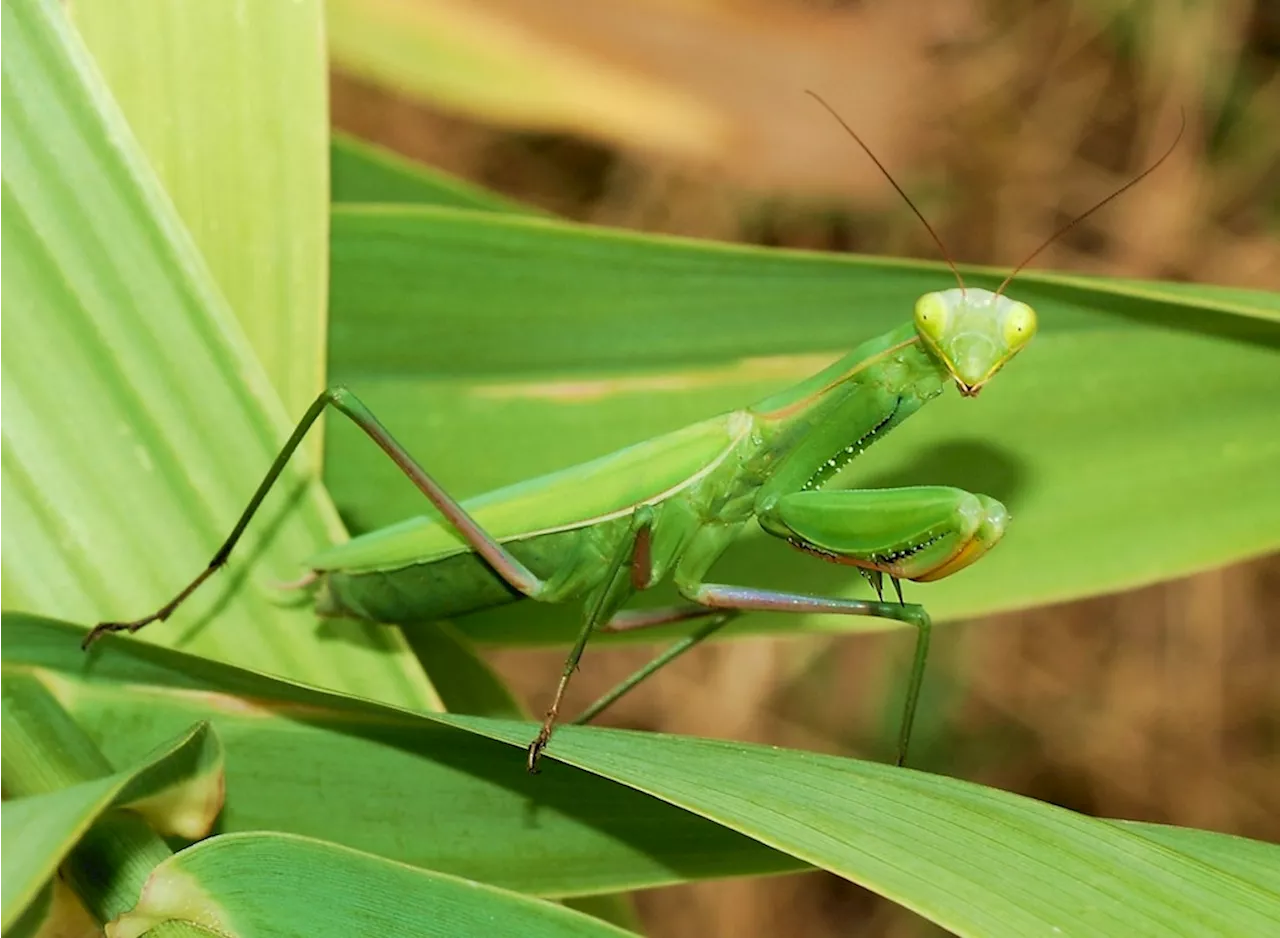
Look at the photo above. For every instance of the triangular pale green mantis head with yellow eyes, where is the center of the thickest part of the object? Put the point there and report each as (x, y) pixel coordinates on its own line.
(973, 333)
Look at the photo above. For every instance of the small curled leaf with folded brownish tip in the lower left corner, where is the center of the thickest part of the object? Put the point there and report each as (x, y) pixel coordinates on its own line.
(49, 826)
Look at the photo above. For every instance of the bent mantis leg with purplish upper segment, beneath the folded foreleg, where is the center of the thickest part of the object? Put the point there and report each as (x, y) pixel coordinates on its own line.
(744, 598)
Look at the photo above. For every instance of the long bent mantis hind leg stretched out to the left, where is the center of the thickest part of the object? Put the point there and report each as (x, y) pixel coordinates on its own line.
(505, 564)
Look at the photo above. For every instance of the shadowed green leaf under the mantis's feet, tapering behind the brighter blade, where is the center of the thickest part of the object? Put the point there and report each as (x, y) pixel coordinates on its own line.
(339, 770)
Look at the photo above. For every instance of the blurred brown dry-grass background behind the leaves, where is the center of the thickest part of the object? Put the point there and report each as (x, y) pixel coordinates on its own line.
(1003, 121)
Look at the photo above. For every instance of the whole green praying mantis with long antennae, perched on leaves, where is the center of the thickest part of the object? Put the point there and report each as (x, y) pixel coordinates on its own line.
(671, 506)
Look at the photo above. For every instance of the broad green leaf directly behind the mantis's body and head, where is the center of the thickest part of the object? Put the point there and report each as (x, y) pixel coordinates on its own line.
(499, 349)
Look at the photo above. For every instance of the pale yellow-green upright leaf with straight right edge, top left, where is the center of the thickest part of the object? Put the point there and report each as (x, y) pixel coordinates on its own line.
(230, 103)
